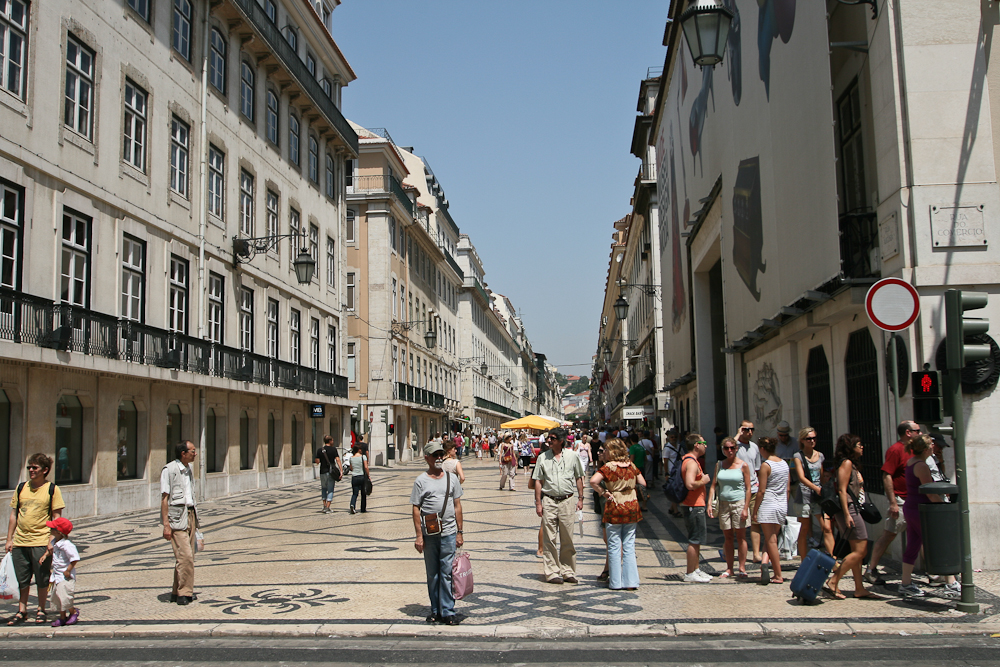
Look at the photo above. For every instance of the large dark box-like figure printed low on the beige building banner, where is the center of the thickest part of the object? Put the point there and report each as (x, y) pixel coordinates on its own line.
(748, 228)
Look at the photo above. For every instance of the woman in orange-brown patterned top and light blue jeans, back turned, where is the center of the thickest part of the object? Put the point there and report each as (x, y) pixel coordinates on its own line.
(621, 513)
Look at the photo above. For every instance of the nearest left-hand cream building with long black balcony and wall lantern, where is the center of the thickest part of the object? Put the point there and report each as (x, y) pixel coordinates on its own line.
(134, 325)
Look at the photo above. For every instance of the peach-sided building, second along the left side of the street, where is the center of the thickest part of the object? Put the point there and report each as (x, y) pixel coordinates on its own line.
(402, 299)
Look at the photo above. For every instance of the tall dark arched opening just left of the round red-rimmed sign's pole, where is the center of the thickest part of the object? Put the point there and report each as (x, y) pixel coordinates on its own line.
(864, 417)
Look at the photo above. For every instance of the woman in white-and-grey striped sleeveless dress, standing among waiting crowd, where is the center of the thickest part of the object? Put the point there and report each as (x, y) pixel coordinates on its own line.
(771, 507)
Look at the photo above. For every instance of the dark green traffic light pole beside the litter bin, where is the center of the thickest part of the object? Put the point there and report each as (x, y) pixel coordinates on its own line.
(955, 343)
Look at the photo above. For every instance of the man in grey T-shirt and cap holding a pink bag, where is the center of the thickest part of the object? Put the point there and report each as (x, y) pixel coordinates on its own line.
(437, 520)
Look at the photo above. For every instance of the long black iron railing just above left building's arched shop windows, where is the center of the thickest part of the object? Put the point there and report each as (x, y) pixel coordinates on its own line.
(29, 319)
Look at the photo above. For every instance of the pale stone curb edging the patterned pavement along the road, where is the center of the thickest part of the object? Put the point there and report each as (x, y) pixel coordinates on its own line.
(682, 629)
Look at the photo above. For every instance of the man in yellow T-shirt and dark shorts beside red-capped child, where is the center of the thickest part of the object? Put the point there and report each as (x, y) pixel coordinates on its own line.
(34, 503)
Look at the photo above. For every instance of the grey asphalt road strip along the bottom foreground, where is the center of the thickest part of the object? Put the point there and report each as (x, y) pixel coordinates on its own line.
(893, 651)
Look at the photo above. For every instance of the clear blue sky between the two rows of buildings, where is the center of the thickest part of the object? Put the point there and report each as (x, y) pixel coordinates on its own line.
(525, 112)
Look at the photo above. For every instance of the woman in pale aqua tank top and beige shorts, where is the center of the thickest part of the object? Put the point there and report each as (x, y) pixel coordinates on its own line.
(731, 487)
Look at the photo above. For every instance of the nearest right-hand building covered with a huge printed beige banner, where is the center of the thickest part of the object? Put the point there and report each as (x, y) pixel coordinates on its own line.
(849, 149)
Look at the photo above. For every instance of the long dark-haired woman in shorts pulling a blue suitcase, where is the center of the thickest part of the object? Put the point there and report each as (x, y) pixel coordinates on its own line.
(849, 521)
